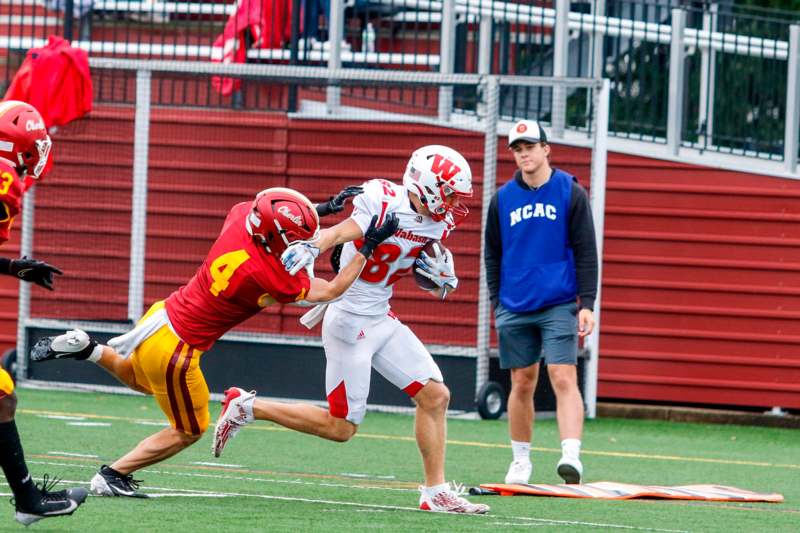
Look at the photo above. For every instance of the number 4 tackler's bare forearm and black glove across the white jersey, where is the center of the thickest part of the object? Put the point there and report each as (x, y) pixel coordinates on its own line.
(326, 291)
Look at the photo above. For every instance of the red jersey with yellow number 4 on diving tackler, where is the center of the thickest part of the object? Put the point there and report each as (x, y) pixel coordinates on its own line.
(237, 280)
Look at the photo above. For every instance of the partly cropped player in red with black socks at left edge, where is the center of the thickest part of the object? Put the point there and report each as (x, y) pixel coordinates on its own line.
(24, 156)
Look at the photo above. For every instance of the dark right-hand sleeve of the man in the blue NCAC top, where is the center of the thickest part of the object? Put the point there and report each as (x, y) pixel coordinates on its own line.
(584, 246)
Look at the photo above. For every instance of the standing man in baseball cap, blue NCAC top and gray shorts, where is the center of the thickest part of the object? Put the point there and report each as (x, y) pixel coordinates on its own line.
(541, 269)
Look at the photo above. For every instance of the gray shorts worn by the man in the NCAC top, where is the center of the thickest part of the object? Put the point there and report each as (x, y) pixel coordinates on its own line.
(526, 337)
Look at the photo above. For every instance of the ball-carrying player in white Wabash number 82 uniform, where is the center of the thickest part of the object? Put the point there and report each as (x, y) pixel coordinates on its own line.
(360, 332)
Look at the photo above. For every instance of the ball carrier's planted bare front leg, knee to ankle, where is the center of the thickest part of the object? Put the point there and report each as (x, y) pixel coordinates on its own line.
(430, 427)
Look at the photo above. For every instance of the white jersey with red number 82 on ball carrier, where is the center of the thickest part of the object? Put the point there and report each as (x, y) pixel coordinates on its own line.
(394, 257)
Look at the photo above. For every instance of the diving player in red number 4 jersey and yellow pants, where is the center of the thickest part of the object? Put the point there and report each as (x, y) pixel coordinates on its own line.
(241, 275)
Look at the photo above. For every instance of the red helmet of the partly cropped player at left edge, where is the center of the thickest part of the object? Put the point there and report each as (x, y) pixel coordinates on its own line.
(23, 138)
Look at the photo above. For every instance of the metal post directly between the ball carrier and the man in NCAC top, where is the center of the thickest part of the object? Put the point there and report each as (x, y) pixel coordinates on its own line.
(491, 99)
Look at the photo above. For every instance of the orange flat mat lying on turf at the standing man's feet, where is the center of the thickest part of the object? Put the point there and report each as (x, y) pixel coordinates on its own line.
(610, 490)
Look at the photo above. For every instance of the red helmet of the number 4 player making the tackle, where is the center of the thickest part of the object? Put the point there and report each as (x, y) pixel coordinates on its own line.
(280, 217)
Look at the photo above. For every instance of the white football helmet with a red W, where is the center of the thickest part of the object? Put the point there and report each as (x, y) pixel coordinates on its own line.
(435, 172)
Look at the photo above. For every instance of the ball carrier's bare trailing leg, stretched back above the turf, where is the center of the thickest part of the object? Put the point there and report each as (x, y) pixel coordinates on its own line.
(305, 418)
